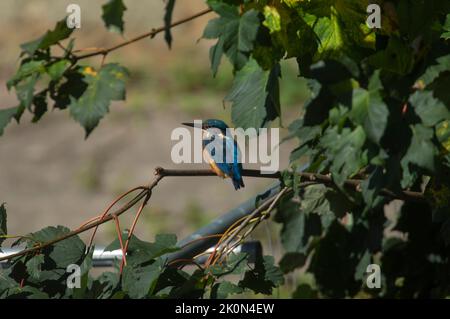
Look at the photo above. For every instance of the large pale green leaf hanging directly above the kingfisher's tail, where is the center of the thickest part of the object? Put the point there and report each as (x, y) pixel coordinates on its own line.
(255, 96)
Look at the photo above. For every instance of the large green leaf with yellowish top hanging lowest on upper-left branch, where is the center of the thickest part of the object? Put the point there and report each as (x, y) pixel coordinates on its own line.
(104, 86)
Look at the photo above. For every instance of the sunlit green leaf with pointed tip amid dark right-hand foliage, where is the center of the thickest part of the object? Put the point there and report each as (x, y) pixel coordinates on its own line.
(369, 109)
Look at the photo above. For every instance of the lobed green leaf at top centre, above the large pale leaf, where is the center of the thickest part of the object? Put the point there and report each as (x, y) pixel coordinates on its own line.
(236, 34)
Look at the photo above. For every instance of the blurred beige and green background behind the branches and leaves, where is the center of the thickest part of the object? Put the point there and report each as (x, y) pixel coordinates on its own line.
(51, 175)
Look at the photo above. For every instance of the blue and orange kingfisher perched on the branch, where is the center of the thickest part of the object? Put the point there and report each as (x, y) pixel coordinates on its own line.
(230, 166)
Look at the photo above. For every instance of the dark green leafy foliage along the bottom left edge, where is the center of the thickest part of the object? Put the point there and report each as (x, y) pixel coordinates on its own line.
(147, 274)
